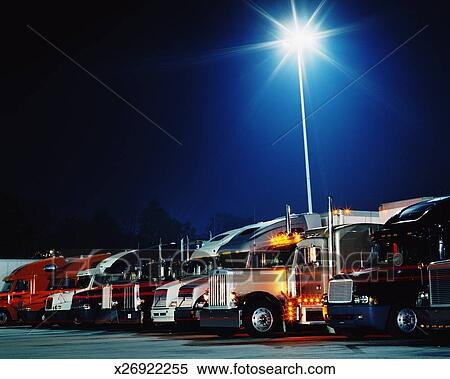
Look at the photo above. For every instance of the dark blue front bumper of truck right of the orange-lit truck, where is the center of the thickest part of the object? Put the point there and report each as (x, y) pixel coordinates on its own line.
(357, 316)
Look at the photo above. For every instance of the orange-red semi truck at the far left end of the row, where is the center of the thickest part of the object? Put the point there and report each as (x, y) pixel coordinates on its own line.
(25, 290)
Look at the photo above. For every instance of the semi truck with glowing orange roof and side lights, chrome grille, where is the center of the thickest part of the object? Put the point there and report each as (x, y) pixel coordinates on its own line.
(266, 290)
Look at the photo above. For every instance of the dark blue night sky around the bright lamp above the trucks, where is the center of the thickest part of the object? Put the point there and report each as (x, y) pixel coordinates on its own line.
(70, 143)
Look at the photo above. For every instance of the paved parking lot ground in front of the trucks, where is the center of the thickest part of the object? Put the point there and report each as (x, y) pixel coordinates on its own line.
(24, 342)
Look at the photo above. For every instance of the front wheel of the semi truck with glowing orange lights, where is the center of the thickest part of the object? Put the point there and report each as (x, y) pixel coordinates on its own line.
(261, 320)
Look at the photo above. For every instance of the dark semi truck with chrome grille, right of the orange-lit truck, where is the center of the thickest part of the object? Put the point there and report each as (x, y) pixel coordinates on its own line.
(382, 298)
